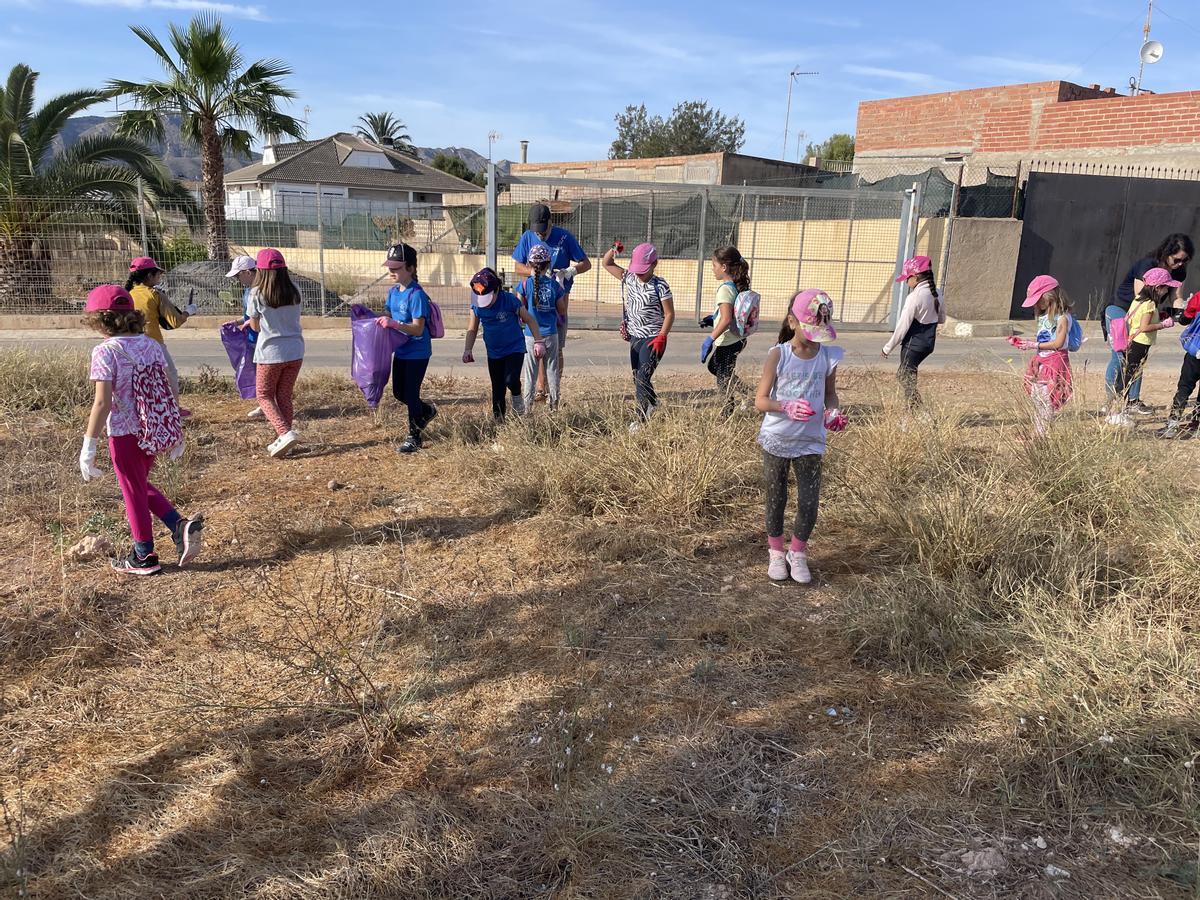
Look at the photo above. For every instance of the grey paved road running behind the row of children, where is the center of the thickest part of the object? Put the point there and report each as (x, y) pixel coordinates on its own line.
(601, 351)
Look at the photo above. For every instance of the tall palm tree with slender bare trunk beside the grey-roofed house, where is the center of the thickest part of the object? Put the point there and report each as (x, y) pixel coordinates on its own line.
(217, 99)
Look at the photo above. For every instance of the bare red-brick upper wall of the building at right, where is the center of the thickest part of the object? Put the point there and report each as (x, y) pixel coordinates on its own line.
(1047, 121)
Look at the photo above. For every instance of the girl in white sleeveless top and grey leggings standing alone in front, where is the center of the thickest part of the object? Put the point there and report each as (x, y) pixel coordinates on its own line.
(799, 393)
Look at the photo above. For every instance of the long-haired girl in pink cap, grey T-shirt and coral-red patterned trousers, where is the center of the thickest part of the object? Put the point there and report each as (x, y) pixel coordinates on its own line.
(275, 308)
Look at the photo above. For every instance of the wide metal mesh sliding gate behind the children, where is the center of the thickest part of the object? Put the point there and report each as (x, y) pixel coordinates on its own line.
(848, 243)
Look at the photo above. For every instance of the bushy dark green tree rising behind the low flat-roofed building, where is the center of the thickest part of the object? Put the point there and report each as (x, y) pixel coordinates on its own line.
(694, 128)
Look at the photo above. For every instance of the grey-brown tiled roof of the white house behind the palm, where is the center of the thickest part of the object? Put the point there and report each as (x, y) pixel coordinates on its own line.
(322, 161)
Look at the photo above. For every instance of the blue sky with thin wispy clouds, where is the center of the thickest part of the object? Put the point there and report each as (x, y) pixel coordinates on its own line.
(454, 71)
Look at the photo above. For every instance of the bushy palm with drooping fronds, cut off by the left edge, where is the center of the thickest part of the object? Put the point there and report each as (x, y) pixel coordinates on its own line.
(43, 193)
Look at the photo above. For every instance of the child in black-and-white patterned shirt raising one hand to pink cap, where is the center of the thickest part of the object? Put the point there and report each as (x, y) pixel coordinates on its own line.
(647, 317)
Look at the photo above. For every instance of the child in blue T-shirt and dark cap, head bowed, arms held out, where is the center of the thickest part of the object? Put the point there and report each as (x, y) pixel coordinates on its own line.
(501, 314)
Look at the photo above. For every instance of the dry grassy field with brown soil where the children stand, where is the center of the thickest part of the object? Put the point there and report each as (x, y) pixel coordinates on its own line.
(544, 659)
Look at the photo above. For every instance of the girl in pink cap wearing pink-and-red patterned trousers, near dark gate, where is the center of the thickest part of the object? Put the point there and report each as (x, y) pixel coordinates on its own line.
(1048, 377)
